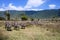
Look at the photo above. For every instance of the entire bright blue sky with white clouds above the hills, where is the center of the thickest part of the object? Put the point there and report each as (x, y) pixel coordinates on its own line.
(29, 4)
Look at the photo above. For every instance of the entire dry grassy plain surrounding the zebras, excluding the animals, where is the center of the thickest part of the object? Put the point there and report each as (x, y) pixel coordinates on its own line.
(44, 30)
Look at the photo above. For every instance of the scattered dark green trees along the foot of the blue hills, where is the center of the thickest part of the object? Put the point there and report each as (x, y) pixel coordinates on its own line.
(22, 16)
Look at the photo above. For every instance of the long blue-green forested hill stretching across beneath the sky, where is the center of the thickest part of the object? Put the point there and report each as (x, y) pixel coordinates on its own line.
(34, 14)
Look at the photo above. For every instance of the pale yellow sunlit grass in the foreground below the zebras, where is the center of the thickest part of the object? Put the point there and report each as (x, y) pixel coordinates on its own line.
(34, 32)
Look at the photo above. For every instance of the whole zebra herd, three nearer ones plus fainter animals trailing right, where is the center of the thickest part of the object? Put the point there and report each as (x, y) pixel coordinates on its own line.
(18, 25)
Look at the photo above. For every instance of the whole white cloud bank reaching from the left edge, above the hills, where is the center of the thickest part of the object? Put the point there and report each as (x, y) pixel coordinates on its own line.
(10, 7)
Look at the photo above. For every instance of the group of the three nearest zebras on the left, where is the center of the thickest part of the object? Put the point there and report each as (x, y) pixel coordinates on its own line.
(15, 25)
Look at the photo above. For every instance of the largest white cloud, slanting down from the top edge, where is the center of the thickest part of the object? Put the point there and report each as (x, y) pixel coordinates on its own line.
(34, 3)
